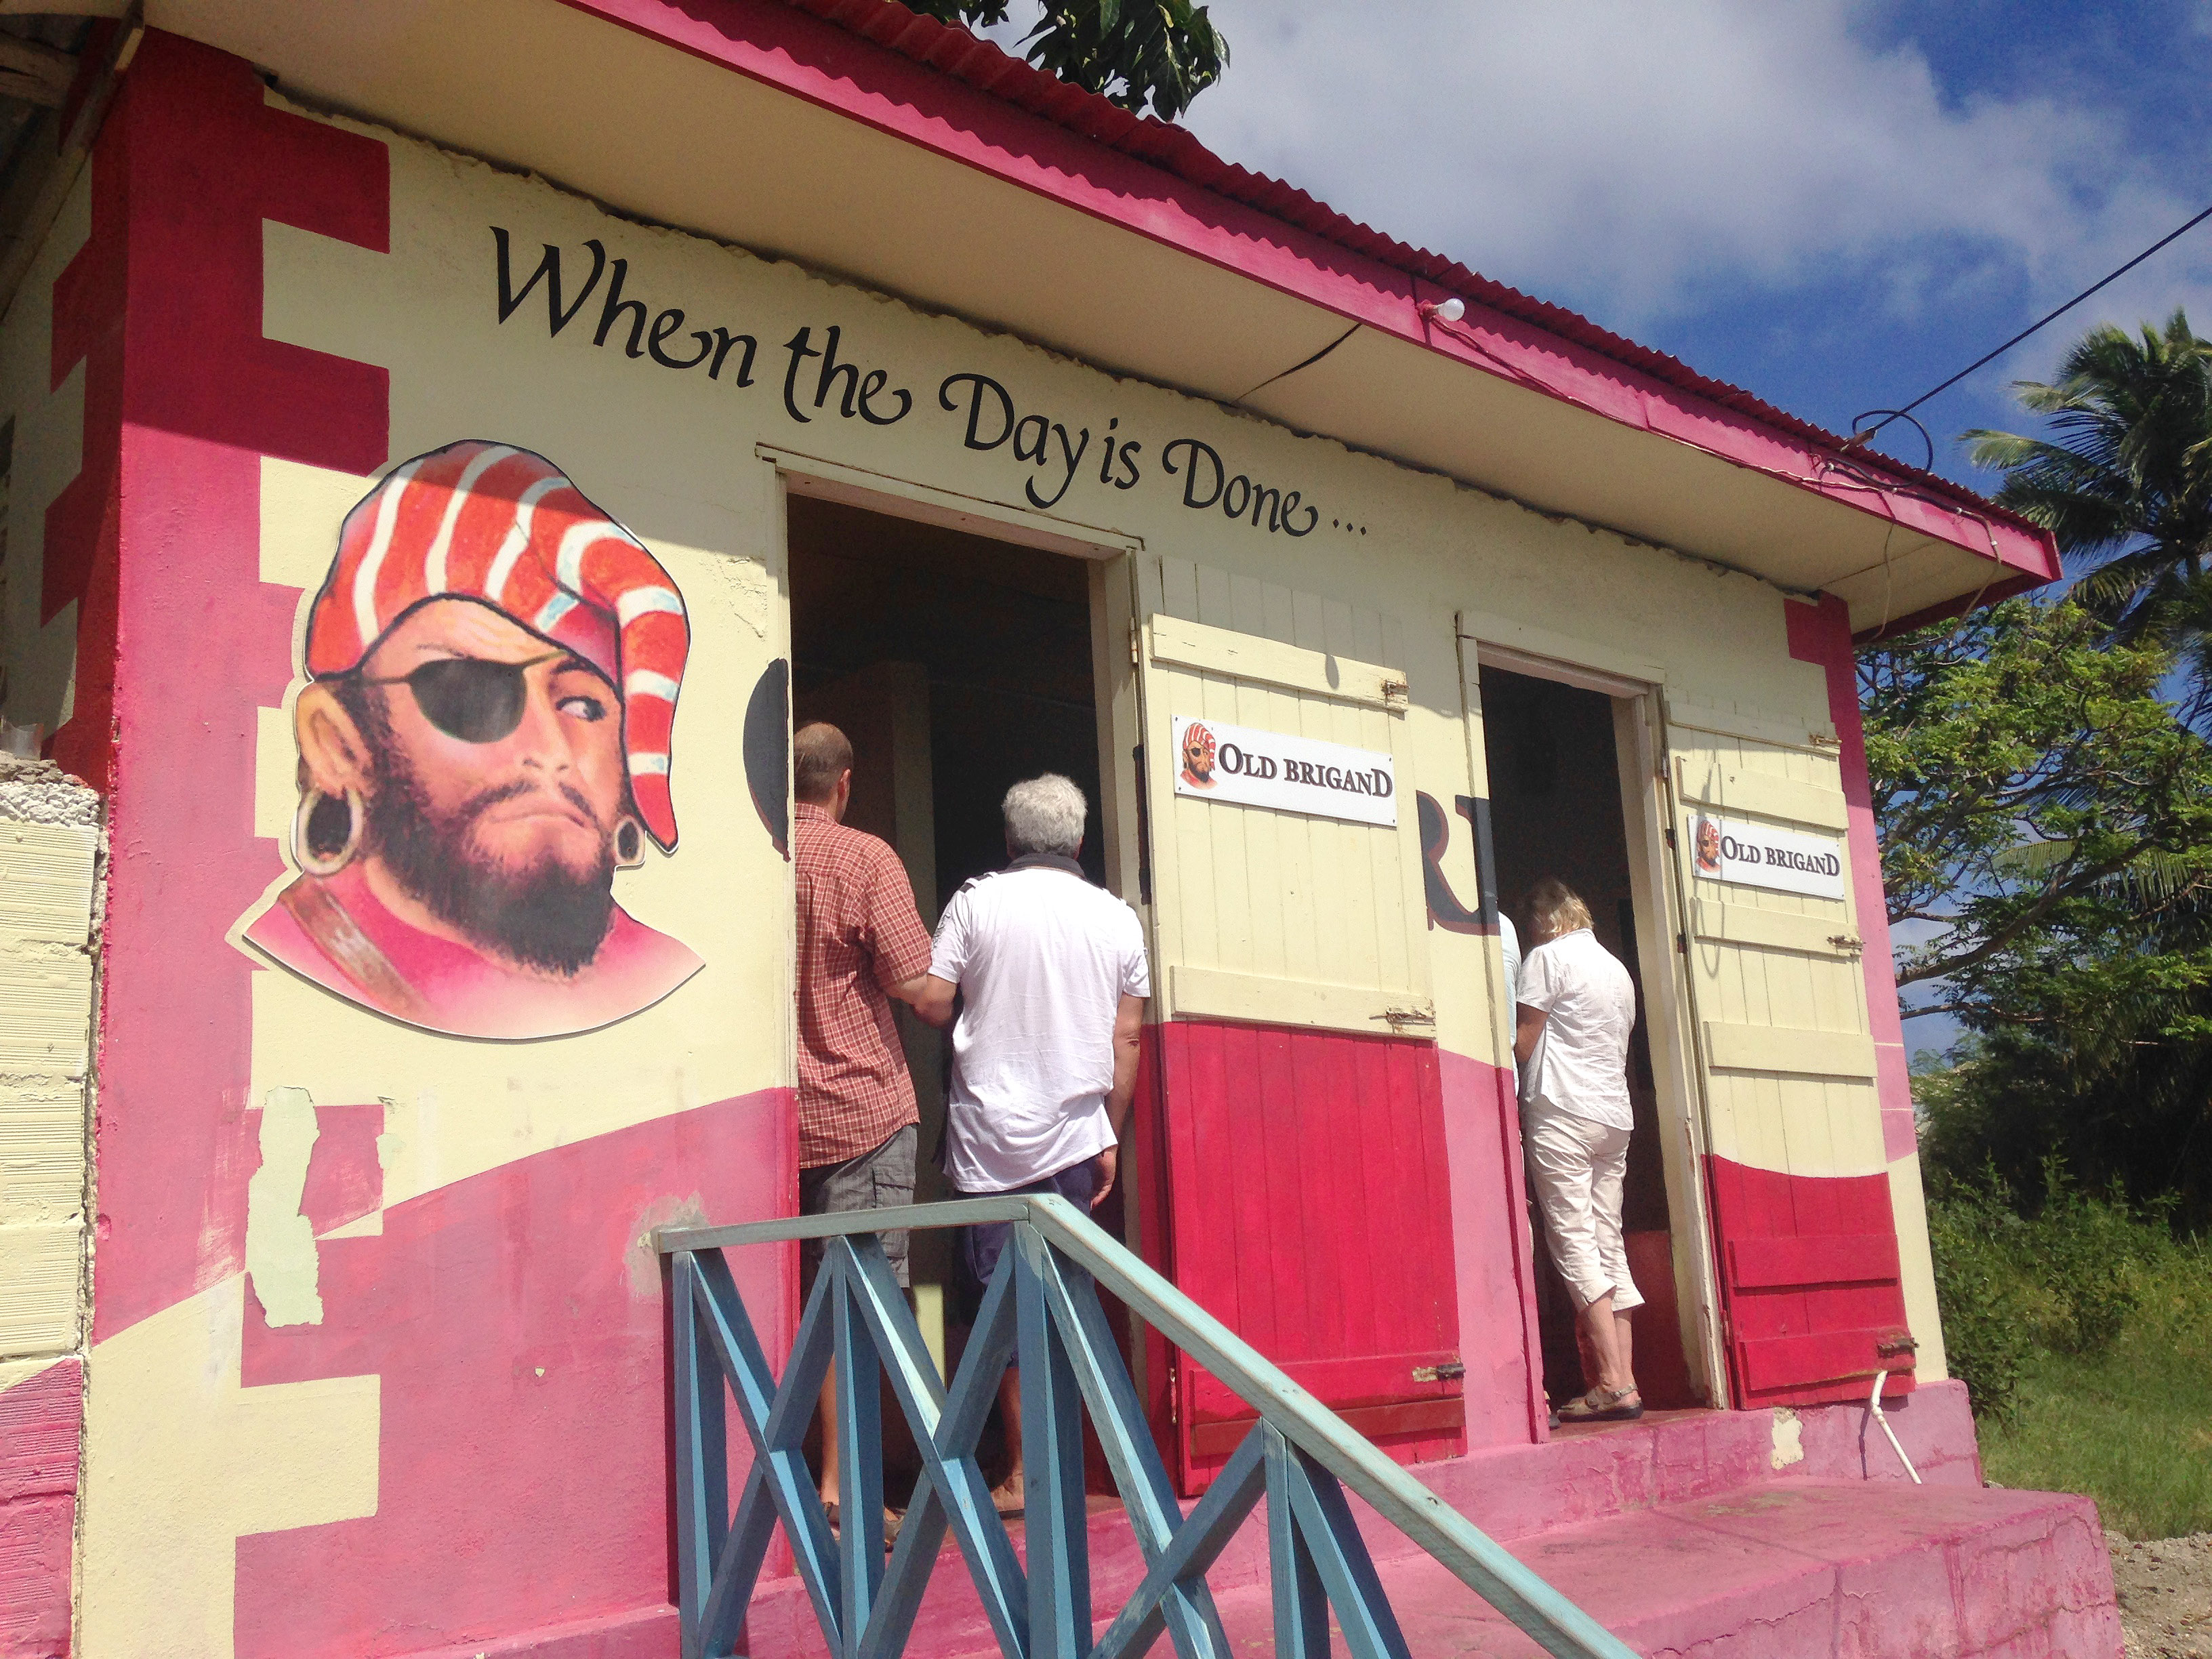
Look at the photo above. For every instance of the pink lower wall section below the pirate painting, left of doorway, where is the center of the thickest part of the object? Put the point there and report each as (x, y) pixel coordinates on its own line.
(519, 1328)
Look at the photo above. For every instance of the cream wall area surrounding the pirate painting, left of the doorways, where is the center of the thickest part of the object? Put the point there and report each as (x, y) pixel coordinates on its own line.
(651, 450)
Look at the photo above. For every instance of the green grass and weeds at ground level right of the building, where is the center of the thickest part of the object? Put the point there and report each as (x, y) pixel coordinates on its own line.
(2089, 1344)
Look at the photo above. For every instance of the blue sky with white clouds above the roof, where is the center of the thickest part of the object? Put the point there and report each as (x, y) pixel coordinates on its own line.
(1830, 202)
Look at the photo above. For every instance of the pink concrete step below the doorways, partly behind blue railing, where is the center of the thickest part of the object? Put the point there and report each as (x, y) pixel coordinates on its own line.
(1715, 1534)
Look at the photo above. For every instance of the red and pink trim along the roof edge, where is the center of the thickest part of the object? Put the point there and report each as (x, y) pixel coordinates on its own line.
(941, 87)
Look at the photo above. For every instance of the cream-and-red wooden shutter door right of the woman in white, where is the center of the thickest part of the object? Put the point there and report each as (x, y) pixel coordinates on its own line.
(1799, 1182)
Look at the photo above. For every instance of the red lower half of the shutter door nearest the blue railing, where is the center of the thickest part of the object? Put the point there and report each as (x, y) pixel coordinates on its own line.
(1306, 1204)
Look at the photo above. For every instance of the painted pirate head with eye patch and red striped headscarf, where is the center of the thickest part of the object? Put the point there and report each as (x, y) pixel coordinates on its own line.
(483, 742)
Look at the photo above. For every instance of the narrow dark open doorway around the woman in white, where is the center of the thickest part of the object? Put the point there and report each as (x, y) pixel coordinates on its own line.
(1556, 811)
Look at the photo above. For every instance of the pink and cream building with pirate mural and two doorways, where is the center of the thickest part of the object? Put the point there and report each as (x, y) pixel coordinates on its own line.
(769, 359)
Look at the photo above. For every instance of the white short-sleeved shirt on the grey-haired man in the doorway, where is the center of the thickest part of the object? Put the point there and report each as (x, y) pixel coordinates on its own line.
(1043, 961)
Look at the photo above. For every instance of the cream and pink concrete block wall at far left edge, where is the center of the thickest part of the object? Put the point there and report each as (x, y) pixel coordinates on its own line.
(50, 866)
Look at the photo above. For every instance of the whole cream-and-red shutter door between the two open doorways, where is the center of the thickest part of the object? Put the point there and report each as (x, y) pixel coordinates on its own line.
(1300, 1116)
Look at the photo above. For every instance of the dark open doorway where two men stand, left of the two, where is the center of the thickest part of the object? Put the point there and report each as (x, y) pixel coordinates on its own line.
(957, 665)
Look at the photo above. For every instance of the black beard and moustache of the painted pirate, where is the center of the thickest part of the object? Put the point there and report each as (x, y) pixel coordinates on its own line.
(545, 917)
